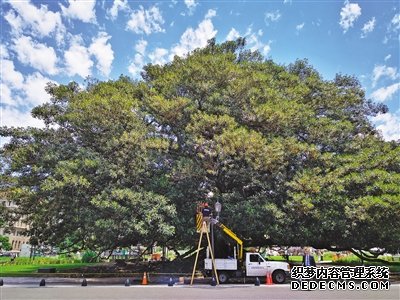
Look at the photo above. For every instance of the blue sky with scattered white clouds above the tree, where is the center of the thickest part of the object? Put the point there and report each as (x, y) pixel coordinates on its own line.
(61, 41)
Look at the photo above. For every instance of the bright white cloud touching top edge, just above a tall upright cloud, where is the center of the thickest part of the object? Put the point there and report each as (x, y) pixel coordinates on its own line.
(81, 10)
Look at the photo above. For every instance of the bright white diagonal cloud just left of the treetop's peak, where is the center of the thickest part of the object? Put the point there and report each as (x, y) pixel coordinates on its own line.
(194, 38)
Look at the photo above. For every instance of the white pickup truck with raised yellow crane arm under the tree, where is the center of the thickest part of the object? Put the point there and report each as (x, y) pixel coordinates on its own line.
(254, 265)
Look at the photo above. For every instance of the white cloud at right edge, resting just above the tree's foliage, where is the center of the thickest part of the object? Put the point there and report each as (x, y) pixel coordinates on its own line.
(389, 125)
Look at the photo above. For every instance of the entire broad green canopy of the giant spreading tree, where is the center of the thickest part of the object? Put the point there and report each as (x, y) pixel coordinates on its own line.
(292, 157)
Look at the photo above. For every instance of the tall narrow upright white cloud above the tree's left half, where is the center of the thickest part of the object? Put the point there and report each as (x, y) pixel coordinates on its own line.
(103, 52)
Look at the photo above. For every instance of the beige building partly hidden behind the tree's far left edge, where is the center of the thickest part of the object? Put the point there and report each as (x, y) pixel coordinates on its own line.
(15, 233)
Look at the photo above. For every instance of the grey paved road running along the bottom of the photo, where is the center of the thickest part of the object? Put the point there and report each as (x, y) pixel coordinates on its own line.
(186, 292)
